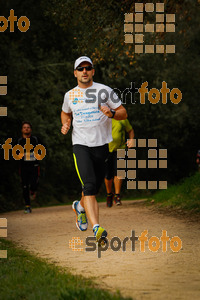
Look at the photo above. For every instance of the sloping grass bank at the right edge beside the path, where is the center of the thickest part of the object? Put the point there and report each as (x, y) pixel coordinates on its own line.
(185, 195)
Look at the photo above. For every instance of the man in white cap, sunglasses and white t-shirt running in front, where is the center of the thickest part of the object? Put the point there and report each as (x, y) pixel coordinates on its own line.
(92, 106)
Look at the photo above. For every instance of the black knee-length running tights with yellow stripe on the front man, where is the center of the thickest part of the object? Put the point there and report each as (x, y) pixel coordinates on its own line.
(90, 166)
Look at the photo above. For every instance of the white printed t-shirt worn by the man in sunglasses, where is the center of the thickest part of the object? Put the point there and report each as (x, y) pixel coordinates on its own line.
(90, 126)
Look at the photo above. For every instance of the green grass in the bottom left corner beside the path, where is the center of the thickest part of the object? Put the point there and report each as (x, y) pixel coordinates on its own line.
(23, 276)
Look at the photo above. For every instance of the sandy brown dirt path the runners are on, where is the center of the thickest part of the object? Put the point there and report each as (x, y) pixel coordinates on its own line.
(140, 275)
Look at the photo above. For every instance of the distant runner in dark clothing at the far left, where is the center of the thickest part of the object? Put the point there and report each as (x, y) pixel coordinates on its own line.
(29, 167)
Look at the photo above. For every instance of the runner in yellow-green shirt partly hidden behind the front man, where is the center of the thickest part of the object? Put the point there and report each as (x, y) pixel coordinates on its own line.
(119, 129)
